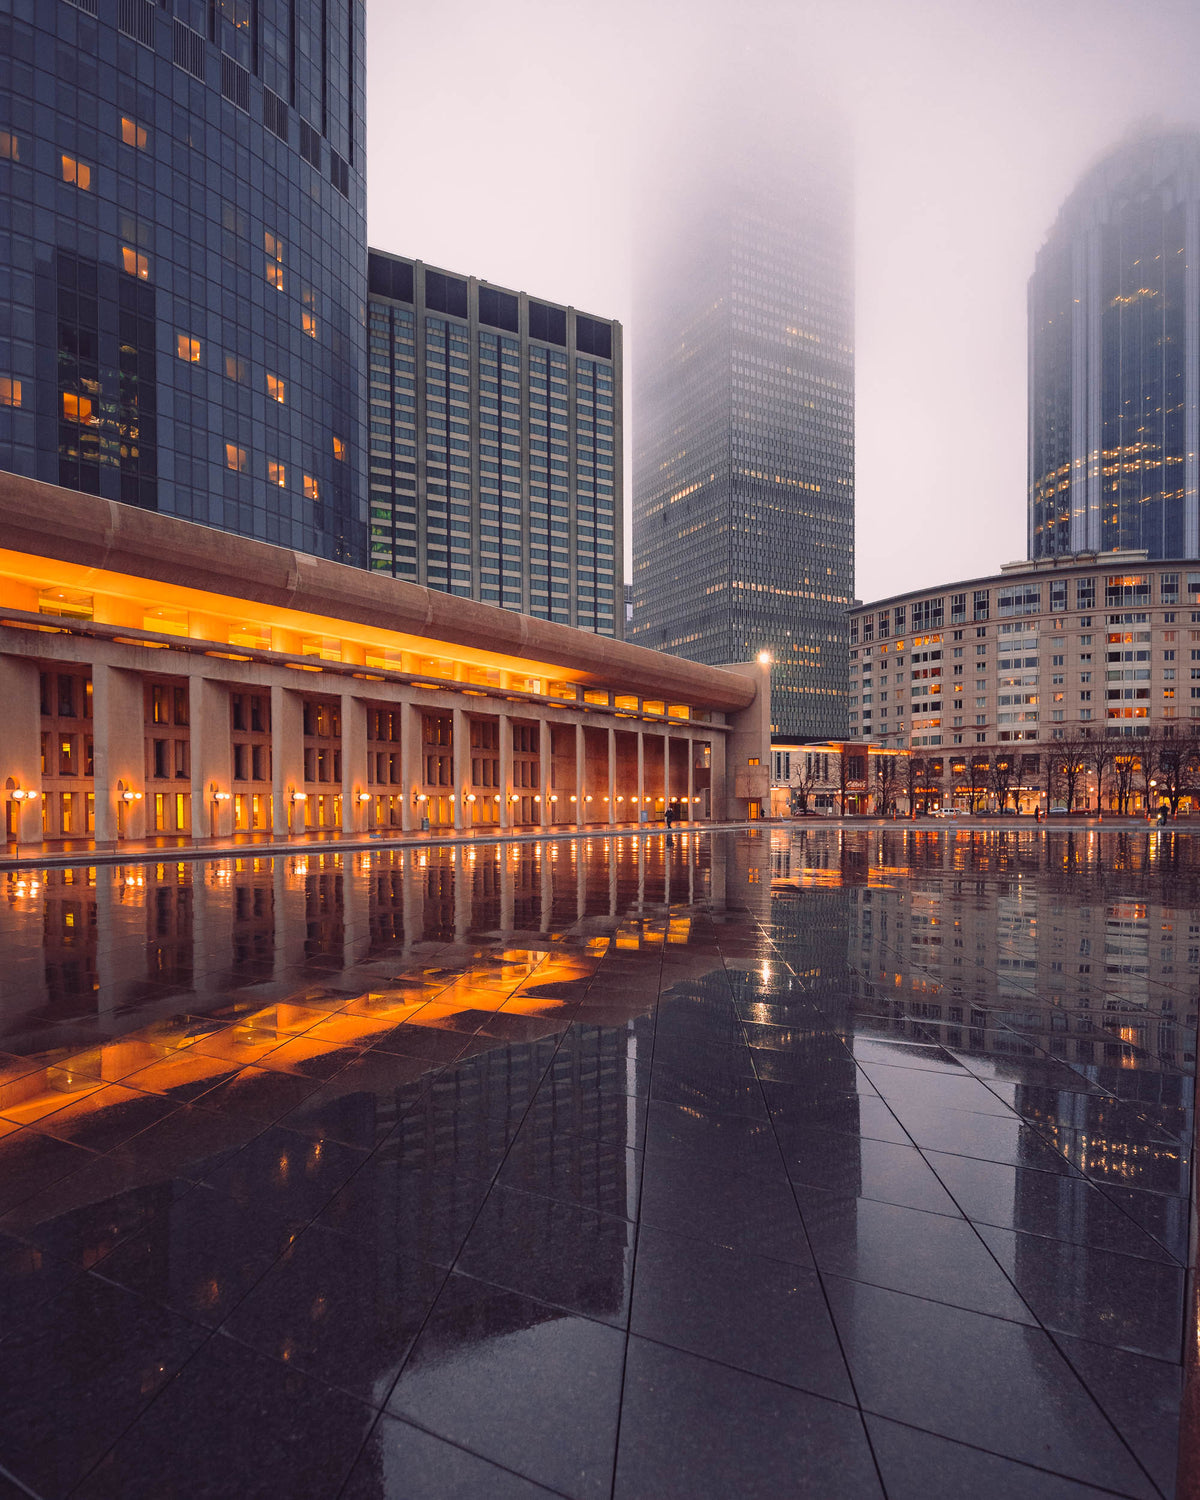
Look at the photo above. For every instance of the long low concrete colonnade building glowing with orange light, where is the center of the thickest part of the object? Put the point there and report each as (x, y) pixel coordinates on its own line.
(163, 679)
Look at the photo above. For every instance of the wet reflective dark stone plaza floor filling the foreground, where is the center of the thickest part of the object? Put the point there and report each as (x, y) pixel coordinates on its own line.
(845, 1163)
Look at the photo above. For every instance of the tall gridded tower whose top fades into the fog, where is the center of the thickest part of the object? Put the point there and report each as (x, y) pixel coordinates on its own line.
(743, 379)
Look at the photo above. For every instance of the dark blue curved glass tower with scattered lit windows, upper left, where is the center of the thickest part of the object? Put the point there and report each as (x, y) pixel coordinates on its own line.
(184, 280)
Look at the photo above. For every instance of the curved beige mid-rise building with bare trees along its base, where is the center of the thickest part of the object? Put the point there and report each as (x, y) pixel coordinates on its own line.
(1075, 650)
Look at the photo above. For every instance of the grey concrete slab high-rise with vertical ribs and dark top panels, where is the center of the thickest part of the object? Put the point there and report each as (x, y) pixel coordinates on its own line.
(496, 446)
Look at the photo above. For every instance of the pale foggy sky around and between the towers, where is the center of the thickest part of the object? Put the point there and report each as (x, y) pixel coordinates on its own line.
(509, 143)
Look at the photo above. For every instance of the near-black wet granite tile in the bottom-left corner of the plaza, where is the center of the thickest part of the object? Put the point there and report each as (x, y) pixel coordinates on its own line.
(76, 1370)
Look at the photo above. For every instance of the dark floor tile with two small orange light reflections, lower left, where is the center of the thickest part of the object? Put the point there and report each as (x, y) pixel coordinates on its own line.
(287, 1174)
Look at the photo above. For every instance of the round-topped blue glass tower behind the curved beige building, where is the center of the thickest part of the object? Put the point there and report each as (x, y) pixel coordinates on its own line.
(1115, 358)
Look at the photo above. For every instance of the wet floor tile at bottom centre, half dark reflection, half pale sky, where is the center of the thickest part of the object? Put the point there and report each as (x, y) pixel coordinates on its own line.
(521, 1384)
